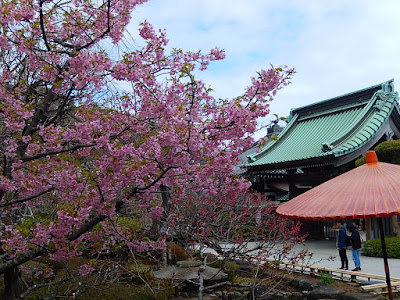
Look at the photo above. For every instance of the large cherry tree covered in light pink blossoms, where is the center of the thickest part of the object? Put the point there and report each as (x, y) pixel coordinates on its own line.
(76, 148)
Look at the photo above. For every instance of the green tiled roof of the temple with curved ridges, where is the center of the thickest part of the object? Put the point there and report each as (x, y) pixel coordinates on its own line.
(330, 128)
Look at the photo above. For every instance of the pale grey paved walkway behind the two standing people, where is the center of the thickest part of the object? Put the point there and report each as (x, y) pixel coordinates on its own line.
(324, 249)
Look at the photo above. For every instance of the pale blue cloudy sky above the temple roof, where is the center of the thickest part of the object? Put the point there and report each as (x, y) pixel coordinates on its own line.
(336, 46)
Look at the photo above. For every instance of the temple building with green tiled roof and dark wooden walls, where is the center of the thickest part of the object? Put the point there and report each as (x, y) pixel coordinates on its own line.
(323, 140)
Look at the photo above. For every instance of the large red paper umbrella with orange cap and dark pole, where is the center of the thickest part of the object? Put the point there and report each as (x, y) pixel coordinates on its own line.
(369, 191)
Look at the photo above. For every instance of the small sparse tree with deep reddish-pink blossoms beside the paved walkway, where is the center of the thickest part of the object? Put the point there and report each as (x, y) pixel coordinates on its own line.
(240, 227)
